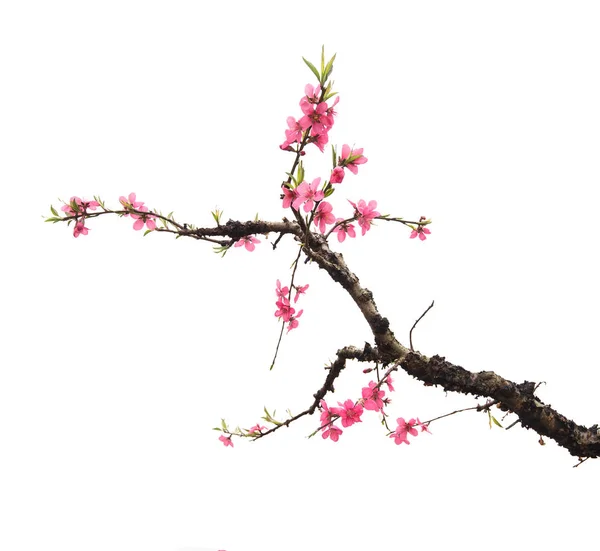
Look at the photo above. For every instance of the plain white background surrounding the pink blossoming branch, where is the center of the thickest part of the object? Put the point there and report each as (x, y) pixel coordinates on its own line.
(121, 352)
